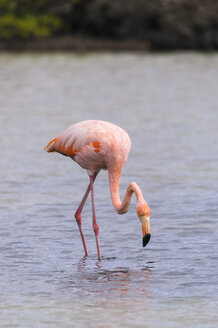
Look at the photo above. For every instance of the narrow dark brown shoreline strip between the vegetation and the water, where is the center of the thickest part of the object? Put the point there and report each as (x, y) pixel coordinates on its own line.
(89, 44)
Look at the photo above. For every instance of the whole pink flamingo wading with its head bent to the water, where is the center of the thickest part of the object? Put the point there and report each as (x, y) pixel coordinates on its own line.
(96, 145)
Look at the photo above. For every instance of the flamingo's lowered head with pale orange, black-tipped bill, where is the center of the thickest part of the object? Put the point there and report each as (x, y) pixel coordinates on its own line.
(143, 213)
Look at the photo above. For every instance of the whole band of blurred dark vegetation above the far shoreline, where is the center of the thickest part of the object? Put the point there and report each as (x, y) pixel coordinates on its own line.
(157, 24)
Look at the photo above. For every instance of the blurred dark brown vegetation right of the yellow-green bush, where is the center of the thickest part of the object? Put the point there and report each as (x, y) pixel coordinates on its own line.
(162, 24)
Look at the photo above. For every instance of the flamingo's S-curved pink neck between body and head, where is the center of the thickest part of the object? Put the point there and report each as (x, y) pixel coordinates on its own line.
(114, 180)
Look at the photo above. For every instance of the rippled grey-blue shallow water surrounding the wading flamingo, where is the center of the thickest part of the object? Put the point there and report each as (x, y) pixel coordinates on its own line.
(168, 105)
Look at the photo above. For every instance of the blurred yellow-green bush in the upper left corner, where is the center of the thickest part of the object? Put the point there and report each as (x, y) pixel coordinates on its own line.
(33, 18)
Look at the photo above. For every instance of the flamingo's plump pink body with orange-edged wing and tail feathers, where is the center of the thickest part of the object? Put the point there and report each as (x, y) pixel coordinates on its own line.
(94, 145)
